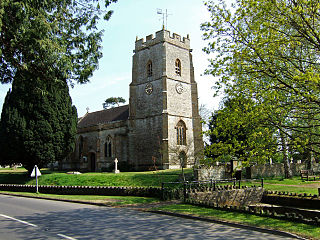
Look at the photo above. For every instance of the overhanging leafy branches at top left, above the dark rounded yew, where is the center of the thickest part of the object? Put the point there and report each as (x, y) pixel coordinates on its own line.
(46, 36)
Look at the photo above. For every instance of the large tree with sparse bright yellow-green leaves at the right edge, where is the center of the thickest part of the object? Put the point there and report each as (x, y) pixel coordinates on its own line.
(269, 51)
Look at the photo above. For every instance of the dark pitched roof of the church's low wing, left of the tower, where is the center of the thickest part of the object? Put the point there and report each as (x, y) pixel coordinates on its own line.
(104, 116)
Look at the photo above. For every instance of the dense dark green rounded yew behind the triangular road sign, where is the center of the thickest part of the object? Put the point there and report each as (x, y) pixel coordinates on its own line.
(36, 127)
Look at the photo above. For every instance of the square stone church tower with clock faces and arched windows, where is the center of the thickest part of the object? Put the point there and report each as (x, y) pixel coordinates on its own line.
(164, 119)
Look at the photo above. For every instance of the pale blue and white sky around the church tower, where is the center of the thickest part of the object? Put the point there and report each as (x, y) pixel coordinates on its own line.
(139, 18)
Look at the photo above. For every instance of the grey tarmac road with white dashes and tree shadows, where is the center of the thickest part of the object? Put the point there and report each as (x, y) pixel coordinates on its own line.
(27, 218)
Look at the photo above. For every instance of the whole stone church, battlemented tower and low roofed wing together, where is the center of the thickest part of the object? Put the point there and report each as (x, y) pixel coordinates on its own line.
(160, 128)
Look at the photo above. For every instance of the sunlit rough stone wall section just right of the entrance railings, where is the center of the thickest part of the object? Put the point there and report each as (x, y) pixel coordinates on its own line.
(230, 197)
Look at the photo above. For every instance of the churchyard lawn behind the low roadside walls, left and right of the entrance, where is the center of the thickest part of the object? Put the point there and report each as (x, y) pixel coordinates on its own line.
(140, 179)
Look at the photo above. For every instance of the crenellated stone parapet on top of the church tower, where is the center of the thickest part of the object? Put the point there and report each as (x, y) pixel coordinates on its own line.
(162, 36)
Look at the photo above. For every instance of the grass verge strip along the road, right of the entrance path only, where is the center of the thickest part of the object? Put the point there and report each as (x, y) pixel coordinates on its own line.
(301, 229)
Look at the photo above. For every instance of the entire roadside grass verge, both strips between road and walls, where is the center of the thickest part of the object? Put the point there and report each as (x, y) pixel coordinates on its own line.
(305, 230)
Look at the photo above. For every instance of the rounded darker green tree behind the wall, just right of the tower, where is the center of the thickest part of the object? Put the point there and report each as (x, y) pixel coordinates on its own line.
(236, 131)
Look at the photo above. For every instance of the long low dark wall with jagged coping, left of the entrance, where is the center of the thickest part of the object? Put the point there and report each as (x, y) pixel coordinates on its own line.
(86, 190)
